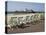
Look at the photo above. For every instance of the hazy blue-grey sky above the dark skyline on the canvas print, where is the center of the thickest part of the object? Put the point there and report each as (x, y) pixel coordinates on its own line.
(13, 6)
